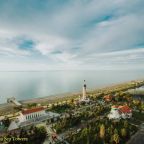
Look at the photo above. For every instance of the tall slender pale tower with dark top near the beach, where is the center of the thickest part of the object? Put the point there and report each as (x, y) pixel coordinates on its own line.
(84, 97)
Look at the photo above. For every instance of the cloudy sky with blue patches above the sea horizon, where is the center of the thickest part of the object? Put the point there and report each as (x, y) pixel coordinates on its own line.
(39, 35)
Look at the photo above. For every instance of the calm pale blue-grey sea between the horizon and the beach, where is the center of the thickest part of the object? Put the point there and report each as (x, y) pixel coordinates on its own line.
(26, 85)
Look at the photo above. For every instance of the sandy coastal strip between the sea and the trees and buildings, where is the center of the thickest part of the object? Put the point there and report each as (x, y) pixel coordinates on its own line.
(9, 107)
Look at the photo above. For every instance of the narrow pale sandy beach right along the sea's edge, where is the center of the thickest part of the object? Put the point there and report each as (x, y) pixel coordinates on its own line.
(69, 95)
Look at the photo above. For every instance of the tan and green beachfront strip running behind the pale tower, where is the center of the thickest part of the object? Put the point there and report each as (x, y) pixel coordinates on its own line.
(9, 108)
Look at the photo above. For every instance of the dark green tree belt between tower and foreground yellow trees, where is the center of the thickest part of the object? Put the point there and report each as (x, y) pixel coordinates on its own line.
(73, 119)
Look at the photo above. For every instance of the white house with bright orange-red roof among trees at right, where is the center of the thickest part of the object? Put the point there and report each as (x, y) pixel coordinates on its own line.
(118, 112)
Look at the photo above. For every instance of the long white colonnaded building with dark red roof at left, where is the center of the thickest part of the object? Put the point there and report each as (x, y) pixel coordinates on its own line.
(32, 116)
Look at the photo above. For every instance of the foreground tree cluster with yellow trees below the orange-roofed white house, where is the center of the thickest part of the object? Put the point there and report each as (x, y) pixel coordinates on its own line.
(103, 131)
